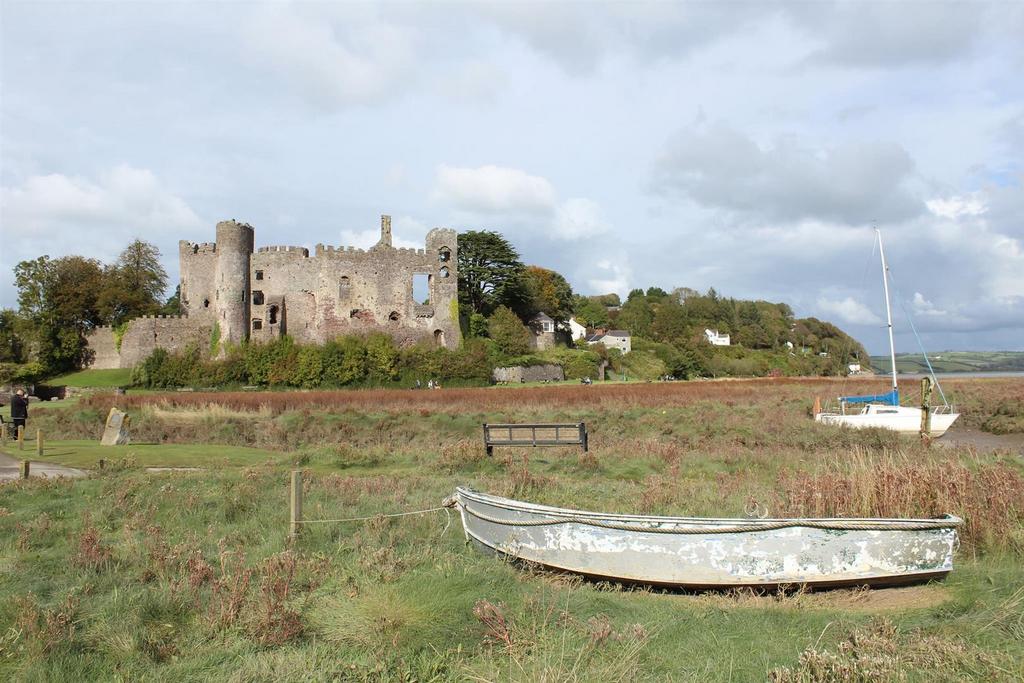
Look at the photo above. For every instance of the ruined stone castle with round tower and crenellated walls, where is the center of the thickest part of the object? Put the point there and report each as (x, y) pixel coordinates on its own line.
(231, 293)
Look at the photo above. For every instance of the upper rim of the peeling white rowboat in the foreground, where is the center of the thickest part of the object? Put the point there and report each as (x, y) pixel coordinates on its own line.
(513, 505)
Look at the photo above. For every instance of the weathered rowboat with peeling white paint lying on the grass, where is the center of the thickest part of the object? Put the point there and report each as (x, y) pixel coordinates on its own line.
(707, 553)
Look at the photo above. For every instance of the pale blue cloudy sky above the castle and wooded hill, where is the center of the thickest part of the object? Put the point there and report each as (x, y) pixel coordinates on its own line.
(750, 147)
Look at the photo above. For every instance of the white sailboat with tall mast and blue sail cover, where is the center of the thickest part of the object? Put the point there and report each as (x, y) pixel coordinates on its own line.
(884, 410)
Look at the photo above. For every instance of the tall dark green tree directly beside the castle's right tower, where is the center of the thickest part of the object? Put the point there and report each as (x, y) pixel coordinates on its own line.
(490, 273)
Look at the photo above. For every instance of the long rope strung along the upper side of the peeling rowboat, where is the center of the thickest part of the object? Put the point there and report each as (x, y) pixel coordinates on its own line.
(851, 526)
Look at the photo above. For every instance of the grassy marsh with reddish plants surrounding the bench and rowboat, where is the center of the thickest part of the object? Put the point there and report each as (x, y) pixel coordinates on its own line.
(191, 576)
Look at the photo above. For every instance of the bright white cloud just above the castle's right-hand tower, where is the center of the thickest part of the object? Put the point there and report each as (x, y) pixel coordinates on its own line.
(494, 190)
